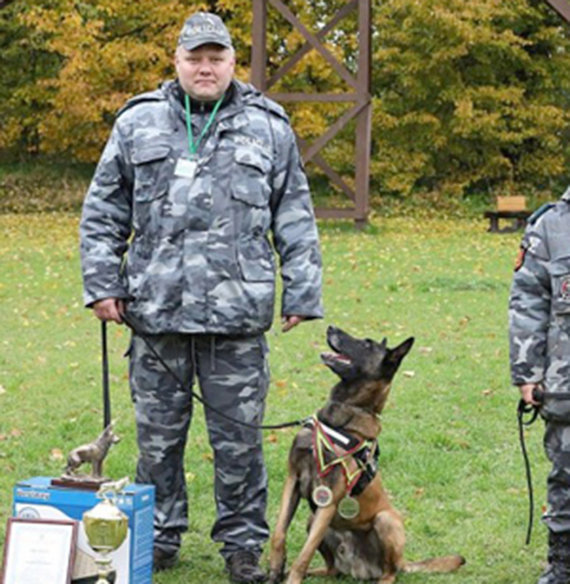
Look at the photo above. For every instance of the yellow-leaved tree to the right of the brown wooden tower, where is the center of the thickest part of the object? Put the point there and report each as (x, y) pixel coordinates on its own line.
(469, 96)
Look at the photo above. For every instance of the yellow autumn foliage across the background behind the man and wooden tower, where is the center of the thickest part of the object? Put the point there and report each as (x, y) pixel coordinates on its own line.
(469, 97)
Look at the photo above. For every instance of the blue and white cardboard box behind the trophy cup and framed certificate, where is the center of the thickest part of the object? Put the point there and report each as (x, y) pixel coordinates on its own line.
(37, 498)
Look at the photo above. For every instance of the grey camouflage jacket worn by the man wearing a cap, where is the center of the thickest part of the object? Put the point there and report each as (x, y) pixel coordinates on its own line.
(194, 255)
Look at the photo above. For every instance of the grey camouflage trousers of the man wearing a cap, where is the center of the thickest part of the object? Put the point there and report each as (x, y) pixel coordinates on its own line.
(233, 376)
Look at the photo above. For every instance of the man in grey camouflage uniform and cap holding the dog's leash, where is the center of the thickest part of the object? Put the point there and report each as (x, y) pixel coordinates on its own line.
(175, 237)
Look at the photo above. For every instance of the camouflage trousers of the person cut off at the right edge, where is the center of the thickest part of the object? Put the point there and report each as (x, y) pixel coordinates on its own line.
(557, 447)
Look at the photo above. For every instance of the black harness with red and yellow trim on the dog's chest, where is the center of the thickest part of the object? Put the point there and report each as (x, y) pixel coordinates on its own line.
(357, 458)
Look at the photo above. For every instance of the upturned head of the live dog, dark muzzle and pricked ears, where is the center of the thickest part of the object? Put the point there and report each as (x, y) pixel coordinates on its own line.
(365, 367)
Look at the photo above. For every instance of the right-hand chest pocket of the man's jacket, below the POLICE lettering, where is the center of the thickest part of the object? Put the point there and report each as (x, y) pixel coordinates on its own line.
(251, 180)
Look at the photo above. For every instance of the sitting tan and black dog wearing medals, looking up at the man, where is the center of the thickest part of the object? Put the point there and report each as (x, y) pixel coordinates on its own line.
(366, 539)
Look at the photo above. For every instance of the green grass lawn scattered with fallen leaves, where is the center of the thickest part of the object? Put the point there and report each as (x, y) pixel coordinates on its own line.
(449, 447)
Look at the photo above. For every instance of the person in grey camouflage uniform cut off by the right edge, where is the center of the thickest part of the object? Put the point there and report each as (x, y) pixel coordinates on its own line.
(539, 325)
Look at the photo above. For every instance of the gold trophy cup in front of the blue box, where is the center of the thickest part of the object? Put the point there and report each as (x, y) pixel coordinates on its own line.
(106, 526)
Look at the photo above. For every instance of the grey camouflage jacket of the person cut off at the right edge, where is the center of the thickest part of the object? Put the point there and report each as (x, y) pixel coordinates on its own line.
(539, 307)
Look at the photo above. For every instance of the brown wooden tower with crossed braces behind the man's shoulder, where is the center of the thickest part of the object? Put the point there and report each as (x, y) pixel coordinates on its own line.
(359, 95)
